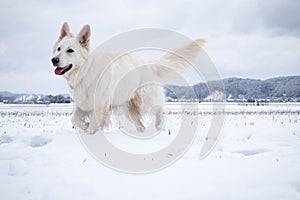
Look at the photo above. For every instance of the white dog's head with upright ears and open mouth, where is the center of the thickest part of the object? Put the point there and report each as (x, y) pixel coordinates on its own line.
(70, 52)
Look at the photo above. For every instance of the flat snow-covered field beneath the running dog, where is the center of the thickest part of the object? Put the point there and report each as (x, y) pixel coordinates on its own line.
(257, 157)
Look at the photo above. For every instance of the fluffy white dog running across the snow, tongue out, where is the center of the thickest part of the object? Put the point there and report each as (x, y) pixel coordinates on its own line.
(93, 81)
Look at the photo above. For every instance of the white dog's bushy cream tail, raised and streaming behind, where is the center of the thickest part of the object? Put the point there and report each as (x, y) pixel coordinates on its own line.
(177, 64)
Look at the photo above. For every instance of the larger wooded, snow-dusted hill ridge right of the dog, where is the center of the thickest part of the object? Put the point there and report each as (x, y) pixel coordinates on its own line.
(239, 89)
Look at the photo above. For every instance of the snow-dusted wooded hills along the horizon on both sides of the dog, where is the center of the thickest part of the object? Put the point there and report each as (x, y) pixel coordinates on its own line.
(280, 89)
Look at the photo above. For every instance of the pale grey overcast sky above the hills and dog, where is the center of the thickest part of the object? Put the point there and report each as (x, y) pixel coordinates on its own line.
(251, 38)
